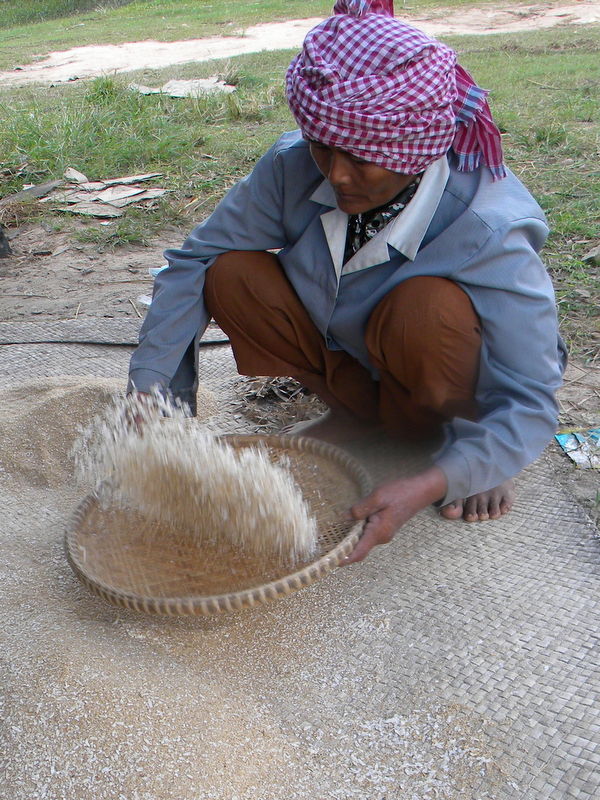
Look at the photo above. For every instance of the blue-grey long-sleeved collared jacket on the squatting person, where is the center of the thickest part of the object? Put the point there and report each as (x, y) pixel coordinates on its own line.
(463, 226)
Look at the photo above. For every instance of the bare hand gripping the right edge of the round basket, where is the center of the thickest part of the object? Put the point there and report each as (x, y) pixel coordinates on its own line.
(392, 504)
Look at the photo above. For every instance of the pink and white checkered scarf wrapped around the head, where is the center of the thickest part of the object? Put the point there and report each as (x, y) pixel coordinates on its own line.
(389, 94)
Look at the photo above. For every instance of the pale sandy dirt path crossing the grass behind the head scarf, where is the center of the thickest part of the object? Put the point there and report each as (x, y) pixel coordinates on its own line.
(93, 60)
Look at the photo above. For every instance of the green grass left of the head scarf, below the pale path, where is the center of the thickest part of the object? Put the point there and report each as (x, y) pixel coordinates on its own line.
(101, 128)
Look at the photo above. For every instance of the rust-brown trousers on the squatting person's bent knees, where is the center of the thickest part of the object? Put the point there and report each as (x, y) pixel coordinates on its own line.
(424, 339)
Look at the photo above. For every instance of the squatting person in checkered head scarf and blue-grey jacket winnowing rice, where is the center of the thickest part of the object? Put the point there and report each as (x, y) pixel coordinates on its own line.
(407, 291)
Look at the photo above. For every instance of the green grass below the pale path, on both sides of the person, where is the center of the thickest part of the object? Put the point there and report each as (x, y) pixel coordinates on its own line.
(544, 94)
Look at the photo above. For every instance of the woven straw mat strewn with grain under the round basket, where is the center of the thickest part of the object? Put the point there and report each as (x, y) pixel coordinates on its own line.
(458, 662)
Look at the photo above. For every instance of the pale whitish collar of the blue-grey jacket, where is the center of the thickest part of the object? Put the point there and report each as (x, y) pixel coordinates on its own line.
(404, 233)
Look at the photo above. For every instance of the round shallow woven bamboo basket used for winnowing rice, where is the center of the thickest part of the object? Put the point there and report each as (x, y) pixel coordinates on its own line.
(136, 563)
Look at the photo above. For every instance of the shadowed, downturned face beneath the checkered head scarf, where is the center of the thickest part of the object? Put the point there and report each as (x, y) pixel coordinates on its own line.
(359, 185)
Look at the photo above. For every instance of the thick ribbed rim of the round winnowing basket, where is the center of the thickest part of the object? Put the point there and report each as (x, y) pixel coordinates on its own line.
(243, 598)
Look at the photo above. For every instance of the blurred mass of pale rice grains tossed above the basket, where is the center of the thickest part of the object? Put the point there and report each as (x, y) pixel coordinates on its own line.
(150, 456)
